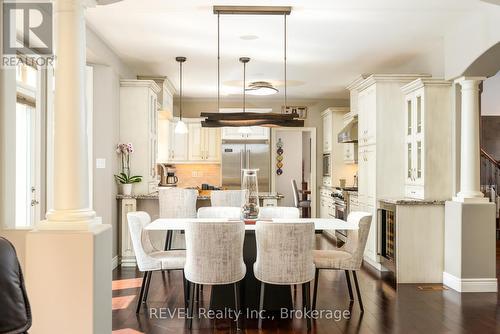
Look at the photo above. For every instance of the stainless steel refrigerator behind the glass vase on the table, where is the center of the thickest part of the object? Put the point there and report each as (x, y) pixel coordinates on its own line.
(238, 155)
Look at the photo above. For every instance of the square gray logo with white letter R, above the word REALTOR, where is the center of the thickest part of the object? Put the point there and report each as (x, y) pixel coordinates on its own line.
(27, 28)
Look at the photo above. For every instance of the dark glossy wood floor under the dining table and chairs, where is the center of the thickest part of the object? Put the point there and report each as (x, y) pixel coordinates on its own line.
(405, 309)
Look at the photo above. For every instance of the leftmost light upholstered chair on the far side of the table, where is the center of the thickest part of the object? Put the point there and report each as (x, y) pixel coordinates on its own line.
(176, 203)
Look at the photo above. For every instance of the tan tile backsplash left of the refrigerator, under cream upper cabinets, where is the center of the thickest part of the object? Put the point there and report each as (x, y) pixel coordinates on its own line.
(193, 175)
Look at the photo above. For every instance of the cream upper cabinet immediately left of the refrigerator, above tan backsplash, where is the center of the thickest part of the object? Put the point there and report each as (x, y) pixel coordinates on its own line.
(204, 143)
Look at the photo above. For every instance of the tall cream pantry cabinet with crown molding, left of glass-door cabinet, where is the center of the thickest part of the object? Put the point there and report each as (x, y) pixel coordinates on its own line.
(381, 140)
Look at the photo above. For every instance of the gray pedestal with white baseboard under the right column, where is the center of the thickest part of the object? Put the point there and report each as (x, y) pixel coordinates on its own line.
(470, 247)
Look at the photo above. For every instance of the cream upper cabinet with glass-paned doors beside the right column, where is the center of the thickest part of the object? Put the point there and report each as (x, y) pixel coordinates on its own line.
(427, 112)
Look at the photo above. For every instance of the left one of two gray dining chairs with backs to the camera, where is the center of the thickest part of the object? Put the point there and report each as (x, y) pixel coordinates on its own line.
(214, 256)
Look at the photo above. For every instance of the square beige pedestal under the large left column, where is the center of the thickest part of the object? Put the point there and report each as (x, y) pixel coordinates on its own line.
(68, 280)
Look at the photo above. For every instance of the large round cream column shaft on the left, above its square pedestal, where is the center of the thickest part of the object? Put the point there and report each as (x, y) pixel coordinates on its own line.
(70, 187)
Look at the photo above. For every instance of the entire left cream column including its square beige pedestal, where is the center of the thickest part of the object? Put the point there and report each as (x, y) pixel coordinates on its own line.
(68, 258)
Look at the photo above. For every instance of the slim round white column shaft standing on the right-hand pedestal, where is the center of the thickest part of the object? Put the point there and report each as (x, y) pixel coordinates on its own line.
(470, 187)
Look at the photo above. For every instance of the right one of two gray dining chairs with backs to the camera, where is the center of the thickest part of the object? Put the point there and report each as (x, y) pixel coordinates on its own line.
(284, 257)
